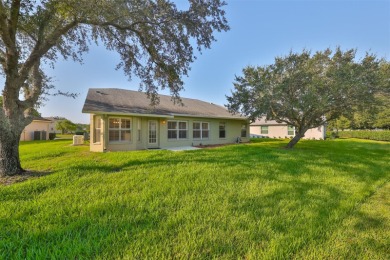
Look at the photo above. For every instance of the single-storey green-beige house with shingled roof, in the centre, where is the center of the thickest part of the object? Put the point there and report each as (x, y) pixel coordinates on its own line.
(124, 120)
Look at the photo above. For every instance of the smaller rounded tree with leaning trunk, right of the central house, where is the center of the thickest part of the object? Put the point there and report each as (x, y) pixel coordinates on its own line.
(307, 90)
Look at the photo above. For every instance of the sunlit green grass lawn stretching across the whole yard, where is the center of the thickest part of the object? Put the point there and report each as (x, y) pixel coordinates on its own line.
(322, 200)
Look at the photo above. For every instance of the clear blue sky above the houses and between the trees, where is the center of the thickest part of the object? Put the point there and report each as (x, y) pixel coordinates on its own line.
(260, 30)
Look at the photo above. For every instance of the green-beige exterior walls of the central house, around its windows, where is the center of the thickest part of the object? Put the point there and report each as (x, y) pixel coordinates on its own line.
(140, 133)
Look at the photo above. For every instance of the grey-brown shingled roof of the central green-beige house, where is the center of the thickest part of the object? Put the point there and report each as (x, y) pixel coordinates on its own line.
(121, 101)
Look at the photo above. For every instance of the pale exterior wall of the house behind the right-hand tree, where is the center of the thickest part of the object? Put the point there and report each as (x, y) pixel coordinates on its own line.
(281, 131)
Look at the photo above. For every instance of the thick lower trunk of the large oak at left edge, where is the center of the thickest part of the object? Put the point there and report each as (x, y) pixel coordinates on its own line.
(9, 154)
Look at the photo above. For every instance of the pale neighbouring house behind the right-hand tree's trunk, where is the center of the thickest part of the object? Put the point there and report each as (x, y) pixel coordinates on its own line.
(270, 128)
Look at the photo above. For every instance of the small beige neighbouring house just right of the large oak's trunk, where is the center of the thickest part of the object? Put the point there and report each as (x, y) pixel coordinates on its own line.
(38, 129)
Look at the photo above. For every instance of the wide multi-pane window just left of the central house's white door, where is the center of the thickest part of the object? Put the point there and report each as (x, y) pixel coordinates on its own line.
(119, 130)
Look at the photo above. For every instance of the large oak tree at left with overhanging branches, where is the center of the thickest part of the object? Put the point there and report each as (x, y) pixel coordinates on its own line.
(153, 38)
